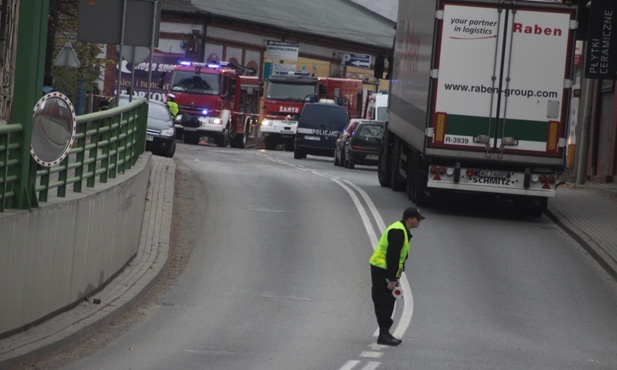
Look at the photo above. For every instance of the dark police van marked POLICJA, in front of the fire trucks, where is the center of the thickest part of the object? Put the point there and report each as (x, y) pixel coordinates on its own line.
(319, 125)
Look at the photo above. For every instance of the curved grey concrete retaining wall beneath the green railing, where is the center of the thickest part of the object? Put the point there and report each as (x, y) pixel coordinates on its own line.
(55, 256)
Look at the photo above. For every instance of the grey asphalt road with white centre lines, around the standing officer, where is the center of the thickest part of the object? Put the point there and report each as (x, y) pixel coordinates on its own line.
(271, 272)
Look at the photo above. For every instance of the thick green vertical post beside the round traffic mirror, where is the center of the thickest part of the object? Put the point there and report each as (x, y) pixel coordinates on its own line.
(29, 68)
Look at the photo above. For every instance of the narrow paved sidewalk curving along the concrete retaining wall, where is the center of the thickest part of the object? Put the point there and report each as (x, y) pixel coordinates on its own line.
(117, 297)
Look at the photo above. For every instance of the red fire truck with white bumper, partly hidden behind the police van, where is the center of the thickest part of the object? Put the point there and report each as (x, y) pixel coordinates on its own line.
(286, 94)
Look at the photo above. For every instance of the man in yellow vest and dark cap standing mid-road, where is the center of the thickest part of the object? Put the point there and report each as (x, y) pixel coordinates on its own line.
(387, 264)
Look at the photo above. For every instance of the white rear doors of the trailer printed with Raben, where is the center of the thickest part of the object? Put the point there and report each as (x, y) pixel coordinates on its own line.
(500, 78)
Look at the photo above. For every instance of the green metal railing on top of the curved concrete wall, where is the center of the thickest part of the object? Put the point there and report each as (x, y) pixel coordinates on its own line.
(106, 144)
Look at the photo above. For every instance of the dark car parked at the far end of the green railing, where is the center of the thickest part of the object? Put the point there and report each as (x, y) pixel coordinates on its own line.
(160, 133)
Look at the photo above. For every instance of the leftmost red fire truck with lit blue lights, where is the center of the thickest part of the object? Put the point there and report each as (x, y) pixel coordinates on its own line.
(215, 101)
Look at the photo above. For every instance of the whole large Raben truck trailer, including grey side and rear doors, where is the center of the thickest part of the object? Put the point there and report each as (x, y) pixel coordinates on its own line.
(479, 99)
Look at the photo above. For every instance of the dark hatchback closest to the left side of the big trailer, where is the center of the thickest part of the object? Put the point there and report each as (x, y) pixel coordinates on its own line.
(363, 144)
